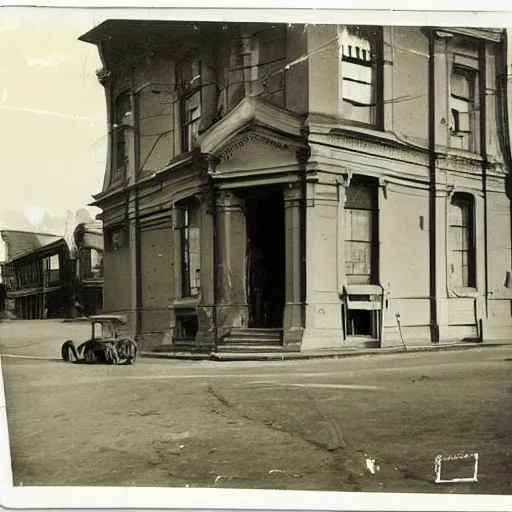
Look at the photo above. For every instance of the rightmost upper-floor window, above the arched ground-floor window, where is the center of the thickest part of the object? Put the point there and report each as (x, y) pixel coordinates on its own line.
(463, 99)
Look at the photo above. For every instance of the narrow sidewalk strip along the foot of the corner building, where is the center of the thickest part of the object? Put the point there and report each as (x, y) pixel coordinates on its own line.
(316, 354)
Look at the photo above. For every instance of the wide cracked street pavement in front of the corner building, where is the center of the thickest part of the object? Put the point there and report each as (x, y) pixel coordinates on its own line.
(370, 423)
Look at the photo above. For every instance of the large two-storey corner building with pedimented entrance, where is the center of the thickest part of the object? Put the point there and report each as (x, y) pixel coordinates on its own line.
(298, 187)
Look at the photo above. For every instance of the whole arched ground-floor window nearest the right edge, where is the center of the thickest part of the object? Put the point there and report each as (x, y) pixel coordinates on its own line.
(462, 241)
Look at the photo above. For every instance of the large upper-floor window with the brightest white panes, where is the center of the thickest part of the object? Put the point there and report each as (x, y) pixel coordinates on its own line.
(360, 73)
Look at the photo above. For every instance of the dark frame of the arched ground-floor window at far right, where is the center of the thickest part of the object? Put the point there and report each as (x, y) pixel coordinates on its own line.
(467, 200)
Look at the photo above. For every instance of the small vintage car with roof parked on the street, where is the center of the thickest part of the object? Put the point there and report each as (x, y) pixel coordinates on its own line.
(106, 345)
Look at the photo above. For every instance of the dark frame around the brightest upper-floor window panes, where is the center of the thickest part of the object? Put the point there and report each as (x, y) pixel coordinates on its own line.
(374, 36)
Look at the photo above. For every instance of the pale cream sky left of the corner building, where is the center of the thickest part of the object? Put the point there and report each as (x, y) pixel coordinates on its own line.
(52, 116)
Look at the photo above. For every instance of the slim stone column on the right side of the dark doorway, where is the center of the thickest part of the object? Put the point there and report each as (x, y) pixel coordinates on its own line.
(293, 318)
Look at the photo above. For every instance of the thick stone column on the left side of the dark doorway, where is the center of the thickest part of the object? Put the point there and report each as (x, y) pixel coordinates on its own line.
(232, 307)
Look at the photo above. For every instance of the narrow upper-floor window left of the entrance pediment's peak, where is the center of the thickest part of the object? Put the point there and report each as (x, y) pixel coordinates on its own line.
(189, 76)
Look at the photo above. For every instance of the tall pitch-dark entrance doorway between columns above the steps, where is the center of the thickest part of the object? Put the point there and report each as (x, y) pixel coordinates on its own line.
(265, 258)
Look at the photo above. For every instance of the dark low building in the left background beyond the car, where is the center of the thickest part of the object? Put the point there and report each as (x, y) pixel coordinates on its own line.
(41, 273)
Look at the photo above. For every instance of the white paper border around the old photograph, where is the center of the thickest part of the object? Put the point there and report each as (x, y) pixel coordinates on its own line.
(100, 498)
